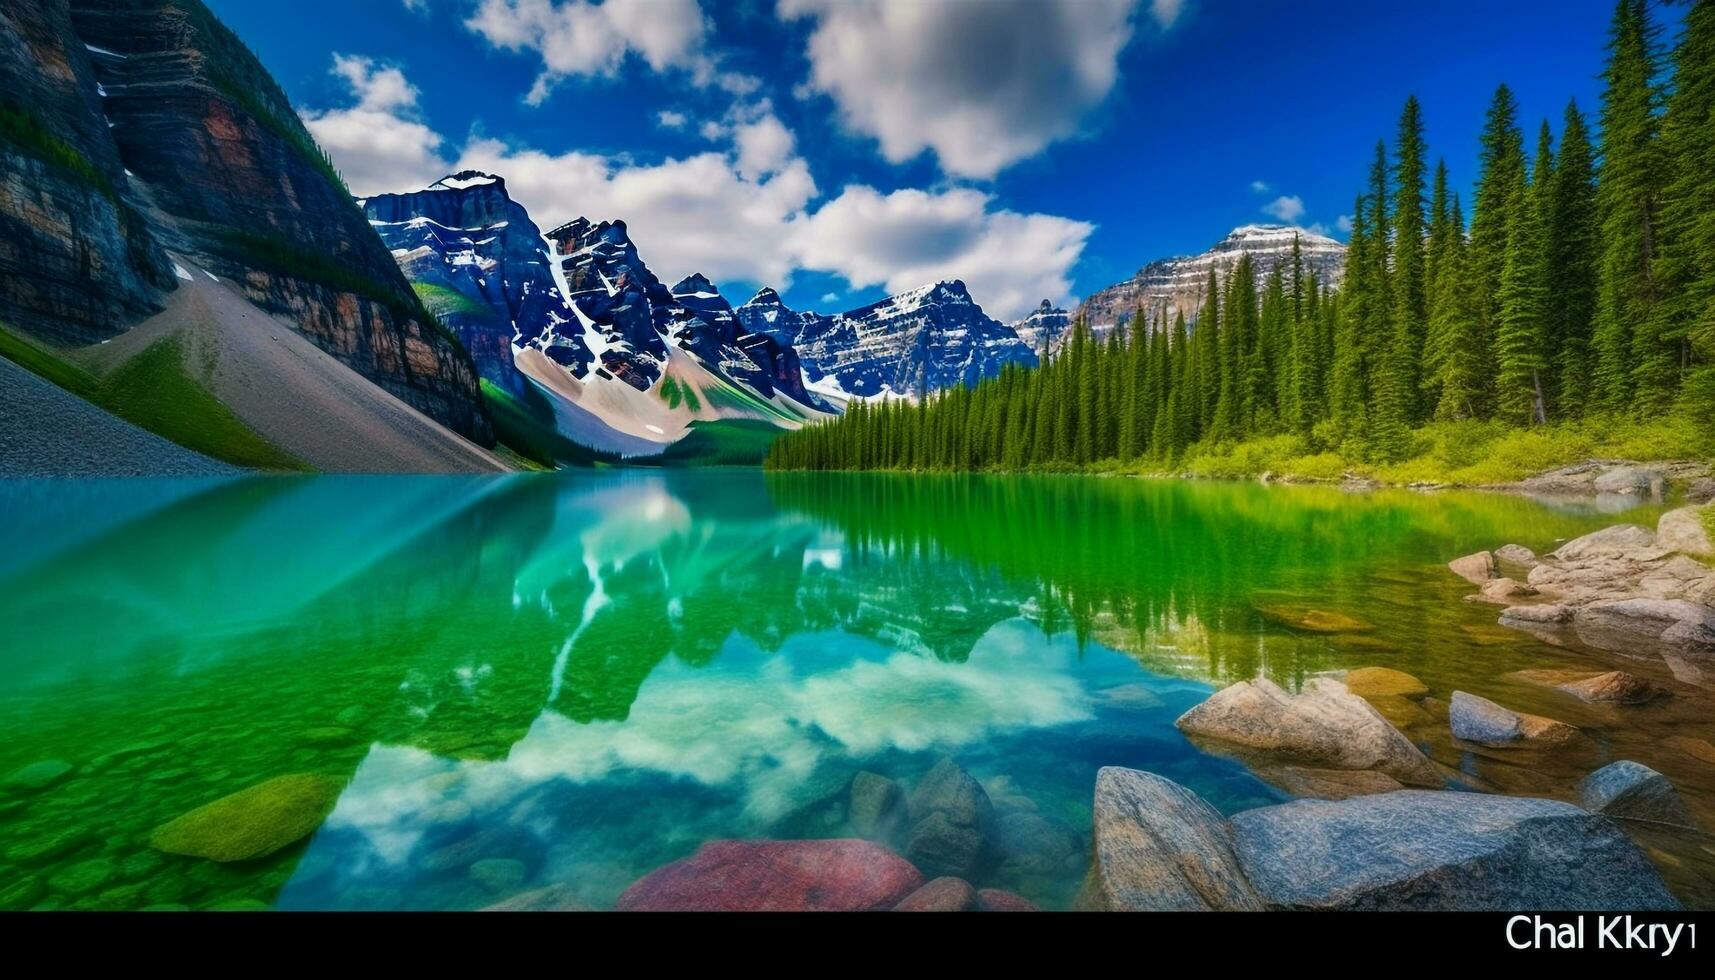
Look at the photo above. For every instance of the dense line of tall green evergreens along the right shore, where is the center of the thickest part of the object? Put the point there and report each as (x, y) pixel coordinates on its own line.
(1584, 286)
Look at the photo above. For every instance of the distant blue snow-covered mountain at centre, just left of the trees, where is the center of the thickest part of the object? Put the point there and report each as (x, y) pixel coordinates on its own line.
(920, 341)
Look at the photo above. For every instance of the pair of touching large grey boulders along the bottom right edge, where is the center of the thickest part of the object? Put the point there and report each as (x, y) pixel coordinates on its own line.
(1162, 847)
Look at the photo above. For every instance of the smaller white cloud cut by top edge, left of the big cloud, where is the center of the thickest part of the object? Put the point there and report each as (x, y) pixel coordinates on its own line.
(582, 39)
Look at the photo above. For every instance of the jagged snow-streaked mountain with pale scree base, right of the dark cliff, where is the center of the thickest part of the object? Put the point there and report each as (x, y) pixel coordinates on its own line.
(575, 315)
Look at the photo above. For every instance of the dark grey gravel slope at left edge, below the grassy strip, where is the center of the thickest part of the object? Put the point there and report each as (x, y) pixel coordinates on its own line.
(47, 432)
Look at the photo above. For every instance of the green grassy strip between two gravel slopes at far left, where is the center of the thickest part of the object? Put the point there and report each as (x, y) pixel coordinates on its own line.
(155, 392)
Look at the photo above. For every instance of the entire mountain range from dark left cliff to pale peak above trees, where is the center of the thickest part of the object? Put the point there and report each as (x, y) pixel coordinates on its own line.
(165, 215)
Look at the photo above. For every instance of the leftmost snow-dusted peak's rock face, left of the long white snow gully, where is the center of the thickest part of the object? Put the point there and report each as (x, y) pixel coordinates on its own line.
(479, 263)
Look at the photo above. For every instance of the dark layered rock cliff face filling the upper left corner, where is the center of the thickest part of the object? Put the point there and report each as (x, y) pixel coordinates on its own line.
(195, 148)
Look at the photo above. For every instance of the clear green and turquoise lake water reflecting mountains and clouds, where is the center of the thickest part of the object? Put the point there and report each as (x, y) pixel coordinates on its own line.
(577, 679)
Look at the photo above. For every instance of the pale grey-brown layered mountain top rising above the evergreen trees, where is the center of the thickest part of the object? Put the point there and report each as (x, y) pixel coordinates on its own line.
(1176, 286)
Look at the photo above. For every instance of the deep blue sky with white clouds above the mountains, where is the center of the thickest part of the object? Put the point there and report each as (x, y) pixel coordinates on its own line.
(850, 148)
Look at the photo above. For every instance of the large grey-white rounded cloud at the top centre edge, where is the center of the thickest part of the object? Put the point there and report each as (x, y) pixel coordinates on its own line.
(980, 83)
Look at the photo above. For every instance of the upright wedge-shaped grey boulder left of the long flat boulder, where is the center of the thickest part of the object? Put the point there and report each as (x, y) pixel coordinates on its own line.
(1162, 849)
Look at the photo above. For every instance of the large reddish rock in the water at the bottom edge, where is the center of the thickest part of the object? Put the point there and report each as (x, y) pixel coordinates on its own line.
(778, 876)
